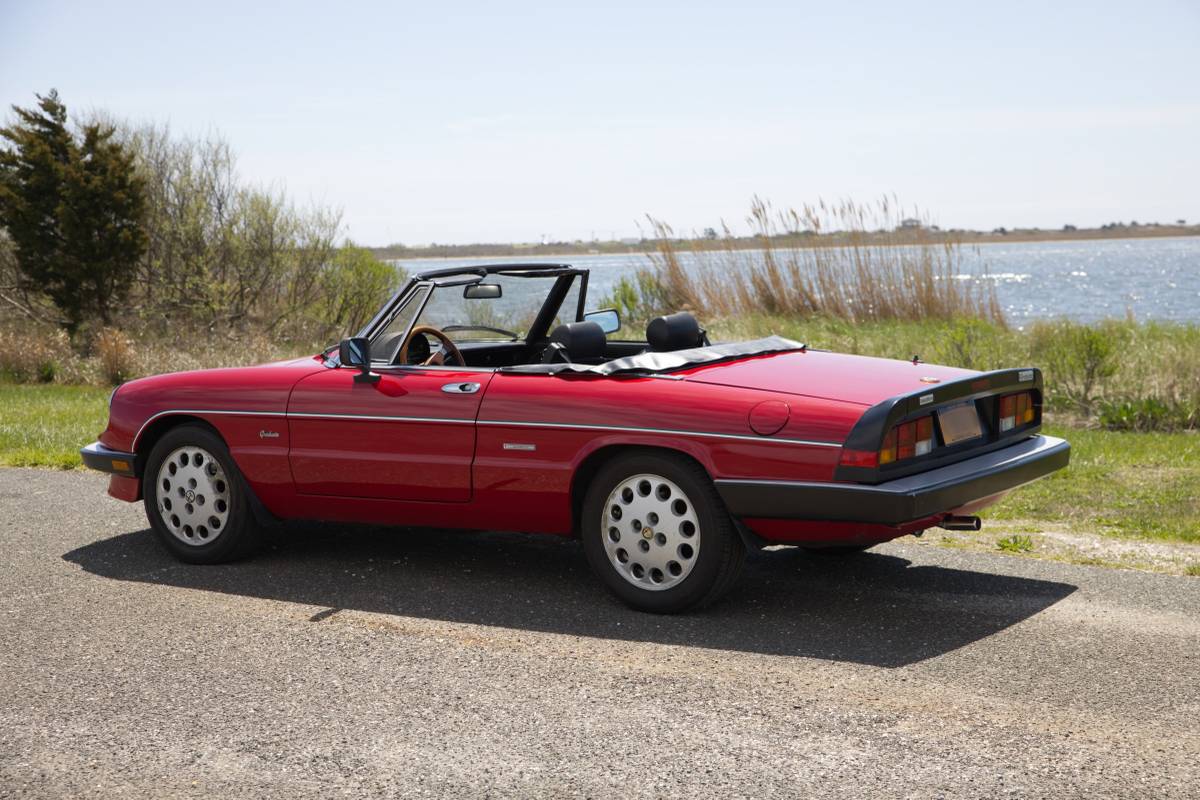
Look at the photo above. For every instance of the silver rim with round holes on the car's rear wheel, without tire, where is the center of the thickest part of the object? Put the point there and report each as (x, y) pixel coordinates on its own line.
(651, 532)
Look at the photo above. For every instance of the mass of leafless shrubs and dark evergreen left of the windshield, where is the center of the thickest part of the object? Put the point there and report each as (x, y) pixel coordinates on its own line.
(110, 225)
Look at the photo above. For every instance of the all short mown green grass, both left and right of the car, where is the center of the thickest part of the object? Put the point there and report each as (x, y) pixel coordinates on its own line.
(1132, 485)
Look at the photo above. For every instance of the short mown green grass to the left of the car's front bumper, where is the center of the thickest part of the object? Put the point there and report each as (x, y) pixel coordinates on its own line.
(46, 425)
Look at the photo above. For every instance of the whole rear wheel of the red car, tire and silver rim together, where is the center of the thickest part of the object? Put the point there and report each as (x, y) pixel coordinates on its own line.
(670, 545)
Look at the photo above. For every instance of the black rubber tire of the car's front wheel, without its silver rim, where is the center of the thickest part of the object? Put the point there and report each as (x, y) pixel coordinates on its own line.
(231, 543)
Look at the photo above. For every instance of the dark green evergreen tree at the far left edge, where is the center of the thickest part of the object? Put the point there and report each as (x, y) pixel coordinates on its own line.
(74, 209)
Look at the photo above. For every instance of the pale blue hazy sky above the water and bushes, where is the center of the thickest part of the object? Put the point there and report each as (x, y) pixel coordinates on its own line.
(511, 122)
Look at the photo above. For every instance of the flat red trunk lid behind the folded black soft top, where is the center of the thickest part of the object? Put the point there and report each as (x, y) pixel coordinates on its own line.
(829, 376)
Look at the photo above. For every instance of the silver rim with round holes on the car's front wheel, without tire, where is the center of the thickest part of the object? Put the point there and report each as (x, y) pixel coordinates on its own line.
(194, 496)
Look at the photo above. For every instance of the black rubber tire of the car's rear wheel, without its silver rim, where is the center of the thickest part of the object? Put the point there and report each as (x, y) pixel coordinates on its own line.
(715, 528)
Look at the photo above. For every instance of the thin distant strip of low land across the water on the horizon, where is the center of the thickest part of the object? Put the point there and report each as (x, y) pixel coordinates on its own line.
(919, 237)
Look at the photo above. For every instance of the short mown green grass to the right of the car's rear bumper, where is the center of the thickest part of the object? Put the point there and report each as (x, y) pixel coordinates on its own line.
(1141, 485)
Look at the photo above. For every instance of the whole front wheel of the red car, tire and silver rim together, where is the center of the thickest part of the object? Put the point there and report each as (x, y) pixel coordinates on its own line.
(197, 501)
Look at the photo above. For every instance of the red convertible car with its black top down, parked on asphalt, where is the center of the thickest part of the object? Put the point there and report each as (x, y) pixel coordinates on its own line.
(485, 398)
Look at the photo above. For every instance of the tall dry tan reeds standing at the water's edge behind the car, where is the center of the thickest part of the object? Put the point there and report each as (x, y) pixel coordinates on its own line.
(842, 261)
